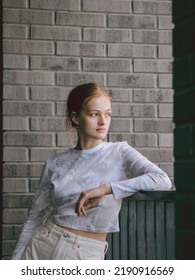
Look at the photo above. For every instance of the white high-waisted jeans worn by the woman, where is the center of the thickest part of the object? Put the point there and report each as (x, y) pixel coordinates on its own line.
(52, 242)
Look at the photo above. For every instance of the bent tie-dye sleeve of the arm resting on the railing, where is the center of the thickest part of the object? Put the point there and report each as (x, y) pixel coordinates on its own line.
(141, 174)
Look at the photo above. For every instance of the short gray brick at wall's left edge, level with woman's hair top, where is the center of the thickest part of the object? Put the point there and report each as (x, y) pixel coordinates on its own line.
(15, 92)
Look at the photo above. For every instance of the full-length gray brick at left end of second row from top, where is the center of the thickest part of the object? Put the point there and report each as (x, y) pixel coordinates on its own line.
(28, 16)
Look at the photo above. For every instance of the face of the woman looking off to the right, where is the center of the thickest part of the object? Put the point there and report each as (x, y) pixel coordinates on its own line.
(94, 120)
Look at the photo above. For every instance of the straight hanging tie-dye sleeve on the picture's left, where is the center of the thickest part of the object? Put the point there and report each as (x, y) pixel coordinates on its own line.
(37, 214)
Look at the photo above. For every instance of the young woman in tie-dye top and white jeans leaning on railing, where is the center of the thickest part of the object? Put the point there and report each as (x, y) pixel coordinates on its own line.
(79, 195)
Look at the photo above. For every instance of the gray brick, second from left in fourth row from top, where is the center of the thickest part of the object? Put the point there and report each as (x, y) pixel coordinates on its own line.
(81, 49)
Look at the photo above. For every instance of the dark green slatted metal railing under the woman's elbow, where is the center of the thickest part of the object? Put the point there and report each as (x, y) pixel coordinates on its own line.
(147, 228)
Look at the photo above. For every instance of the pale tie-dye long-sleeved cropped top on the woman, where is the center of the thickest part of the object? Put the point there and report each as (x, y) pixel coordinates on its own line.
(67, 174)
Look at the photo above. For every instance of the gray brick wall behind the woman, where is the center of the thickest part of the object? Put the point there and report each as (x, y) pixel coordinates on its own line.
(52, 46)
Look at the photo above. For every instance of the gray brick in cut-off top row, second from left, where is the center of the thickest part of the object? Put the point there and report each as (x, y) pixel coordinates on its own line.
(68, 5)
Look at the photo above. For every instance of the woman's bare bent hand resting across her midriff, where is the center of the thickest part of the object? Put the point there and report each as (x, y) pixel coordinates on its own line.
(90, 198)
